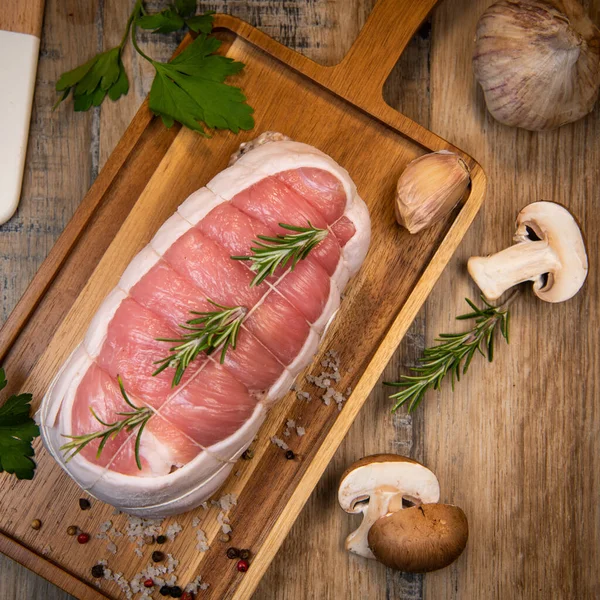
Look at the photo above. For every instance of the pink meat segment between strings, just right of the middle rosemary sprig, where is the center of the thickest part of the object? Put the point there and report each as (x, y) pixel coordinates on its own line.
(280, 327)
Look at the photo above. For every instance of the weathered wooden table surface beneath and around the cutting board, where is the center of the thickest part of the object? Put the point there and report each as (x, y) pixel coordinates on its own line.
(516, 445)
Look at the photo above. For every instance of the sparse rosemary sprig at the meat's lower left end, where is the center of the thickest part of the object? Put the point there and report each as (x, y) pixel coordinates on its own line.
(139, 417)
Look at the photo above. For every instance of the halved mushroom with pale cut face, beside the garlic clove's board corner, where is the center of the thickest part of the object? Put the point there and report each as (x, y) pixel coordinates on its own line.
(549, 251)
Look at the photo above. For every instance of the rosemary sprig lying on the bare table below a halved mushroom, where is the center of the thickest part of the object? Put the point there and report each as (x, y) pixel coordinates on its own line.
(454, 353)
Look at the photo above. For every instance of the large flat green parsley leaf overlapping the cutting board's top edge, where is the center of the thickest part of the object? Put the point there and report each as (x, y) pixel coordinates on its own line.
(190, 88)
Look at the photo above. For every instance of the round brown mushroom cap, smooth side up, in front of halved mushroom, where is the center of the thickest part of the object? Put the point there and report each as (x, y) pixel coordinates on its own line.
(420, 539)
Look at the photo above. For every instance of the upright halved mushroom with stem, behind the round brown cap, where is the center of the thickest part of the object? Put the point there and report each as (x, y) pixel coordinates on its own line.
(377, 485)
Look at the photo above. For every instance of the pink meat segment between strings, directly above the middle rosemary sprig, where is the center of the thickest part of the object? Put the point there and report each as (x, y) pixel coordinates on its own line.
(170, 295)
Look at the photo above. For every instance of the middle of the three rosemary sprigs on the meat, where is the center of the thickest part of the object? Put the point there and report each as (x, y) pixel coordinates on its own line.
(207, 332)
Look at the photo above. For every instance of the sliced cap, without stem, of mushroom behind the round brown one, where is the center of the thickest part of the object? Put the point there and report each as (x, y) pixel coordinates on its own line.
(390, 472)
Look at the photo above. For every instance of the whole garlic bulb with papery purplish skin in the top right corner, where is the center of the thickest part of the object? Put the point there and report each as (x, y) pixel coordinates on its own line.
(538, 62)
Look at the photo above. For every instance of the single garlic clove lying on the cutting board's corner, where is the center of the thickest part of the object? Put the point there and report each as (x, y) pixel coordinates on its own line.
(429, 188)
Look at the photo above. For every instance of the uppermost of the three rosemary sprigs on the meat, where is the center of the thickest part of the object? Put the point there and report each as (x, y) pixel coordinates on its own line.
(271, 252)
